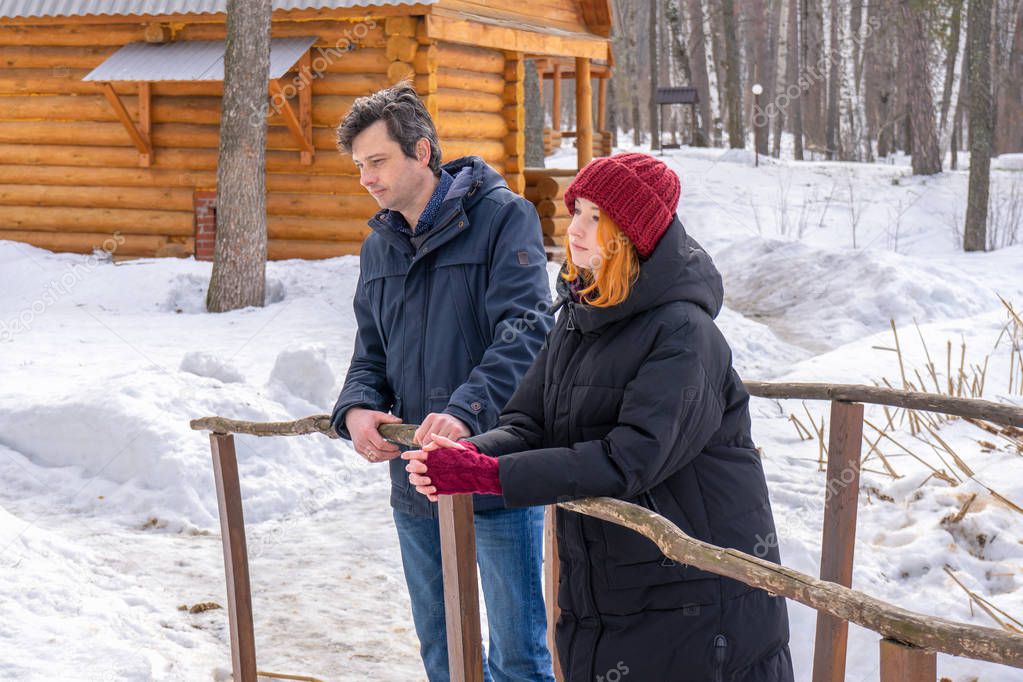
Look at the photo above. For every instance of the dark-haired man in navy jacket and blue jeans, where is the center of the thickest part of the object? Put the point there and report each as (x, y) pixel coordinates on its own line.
(453, 305)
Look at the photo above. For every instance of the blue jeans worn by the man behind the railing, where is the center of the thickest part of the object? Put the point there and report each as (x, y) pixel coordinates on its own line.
(510, 552)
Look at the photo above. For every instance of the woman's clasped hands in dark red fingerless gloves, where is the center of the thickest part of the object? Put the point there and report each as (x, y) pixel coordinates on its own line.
(447, 468)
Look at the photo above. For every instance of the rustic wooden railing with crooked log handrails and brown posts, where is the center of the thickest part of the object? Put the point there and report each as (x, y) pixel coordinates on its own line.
(910, 641)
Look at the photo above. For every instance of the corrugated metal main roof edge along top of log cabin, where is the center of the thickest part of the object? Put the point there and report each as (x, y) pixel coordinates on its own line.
(15, 9)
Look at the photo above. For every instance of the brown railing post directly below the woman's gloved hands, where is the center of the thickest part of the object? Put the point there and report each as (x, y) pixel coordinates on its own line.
(462, 596)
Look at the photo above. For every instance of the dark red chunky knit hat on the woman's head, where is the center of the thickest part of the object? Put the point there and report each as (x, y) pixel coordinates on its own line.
(640, 194)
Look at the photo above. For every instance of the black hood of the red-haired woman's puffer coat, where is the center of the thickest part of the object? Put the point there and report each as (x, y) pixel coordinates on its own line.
(679, 269)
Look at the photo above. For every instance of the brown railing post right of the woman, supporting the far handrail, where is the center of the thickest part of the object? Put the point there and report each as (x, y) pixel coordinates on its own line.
(839, 537)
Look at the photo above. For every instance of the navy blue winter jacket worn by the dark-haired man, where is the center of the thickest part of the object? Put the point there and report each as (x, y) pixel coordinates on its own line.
(454, 327)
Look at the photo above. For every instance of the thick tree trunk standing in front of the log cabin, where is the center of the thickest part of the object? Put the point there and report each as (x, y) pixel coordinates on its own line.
(239, 279)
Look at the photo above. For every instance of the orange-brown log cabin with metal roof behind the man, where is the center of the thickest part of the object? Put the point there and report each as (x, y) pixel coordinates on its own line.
(110, 122)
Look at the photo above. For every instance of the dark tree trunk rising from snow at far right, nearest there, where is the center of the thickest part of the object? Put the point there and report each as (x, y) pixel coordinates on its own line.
(978, 44)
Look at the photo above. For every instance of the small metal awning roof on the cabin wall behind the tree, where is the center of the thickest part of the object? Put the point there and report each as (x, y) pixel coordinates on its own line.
(189, 61)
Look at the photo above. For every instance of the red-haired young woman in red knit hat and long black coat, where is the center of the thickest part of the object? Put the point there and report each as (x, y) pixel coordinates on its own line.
(635, 397)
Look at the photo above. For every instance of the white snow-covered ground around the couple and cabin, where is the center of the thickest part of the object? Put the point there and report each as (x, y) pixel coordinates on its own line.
(108, 511)
